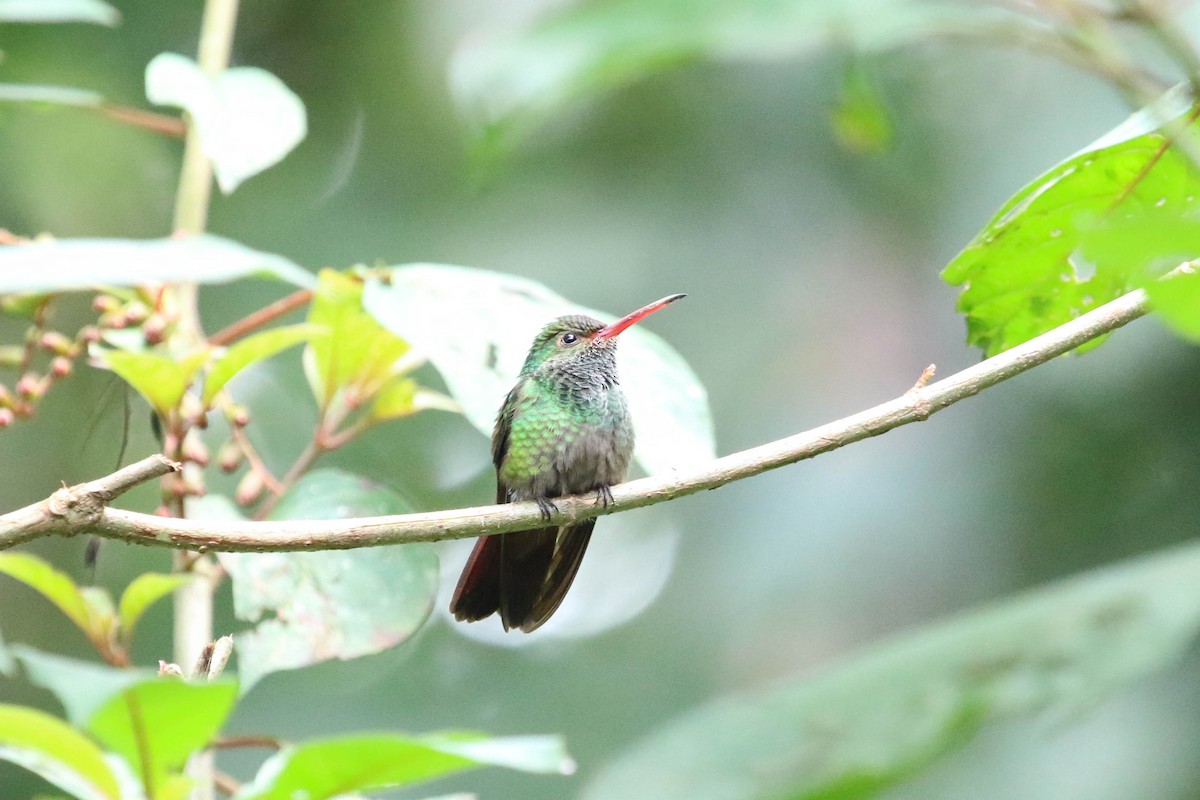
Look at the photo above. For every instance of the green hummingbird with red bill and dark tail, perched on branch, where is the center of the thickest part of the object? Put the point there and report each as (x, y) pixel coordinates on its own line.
(565, 429)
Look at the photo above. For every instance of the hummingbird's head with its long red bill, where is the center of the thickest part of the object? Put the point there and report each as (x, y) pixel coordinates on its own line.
(580, 345)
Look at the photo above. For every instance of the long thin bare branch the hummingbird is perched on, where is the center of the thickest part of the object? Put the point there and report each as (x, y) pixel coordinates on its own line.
(55, 518)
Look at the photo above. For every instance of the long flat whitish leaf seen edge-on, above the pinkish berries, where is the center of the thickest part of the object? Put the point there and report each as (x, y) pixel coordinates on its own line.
(69, 264)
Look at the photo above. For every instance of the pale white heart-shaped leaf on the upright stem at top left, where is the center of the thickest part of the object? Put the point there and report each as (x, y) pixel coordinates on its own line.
(248, 119)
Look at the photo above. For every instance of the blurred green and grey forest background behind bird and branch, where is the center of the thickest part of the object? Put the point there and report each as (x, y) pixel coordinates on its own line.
(814, 293)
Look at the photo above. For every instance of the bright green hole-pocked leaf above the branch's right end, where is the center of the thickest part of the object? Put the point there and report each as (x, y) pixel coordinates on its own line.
(1028, 273)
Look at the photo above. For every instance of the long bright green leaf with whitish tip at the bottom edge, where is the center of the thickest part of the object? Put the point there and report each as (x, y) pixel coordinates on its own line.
(334, 767)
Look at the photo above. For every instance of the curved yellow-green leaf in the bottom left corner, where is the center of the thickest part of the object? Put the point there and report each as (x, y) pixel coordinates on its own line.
(57, 753)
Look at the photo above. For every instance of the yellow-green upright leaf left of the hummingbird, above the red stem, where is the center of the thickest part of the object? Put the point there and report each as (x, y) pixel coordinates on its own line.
(358, 354)
